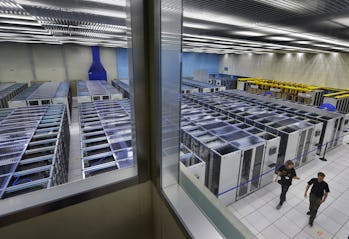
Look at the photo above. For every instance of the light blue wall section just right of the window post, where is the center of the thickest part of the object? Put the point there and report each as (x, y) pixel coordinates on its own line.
(199, 61)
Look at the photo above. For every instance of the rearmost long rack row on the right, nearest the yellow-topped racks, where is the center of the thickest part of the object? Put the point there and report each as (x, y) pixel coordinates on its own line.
(334, 123)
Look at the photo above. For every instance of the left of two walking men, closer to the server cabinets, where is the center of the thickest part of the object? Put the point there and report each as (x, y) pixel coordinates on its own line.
(287, 173)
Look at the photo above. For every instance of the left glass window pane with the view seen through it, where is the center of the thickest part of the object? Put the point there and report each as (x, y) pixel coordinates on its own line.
(66, 113)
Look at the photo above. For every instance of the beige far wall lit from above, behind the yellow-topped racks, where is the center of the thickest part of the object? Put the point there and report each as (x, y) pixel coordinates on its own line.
(318, 69)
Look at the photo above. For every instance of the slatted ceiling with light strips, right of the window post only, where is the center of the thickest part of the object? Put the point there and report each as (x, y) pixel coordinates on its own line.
(266, 26)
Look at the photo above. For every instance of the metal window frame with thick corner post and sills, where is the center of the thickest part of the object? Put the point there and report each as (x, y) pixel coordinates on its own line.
(146, 90)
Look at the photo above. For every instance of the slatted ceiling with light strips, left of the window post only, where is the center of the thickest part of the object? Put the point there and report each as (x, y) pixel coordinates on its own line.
(86, 22)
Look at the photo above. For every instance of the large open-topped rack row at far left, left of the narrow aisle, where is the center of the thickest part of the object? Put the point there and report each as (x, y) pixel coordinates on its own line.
(34, 149)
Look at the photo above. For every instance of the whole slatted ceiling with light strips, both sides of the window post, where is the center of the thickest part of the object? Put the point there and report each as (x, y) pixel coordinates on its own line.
(212, 26)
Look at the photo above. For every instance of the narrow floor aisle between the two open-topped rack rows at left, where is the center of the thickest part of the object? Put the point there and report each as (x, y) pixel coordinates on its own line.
(74, 172)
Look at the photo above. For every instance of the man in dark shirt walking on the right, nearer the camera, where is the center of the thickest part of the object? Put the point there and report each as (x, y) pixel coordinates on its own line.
(318, 195)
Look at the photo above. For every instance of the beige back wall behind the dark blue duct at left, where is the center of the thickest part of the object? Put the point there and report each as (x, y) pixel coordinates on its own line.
(40, 62)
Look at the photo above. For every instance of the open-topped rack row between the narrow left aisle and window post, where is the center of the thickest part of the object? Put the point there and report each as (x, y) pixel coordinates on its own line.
(106, 137)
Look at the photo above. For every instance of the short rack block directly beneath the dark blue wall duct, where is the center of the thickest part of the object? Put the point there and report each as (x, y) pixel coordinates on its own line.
(89, 91)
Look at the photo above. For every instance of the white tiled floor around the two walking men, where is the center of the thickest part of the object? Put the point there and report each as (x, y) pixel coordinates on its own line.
(258, 212)
